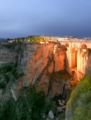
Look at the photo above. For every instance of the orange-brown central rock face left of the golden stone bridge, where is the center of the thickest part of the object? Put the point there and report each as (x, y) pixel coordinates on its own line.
(48, 68)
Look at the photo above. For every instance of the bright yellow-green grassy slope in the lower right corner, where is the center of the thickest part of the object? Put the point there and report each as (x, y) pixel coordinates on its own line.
(79, 104)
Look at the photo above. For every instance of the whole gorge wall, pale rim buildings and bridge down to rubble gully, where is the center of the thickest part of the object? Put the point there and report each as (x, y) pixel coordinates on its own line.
(54, 66)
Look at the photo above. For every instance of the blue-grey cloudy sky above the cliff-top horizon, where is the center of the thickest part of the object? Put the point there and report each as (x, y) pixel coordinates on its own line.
(45, 17)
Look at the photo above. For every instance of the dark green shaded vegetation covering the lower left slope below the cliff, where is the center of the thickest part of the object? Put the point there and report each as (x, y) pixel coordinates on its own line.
(27, 104)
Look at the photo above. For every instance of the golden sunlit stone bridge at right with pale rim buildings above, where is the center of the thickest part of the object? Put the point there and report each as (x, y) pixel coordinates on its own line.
(78, 54)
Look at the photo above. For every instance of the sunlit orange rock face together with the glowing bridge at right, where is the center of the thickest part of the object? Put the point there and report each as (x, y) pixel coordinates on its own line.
(55, 63)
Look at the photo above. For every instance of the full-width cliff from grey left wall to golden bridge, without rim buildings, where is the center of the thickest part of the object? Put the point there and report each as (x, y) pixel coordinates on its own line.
(48, 66)
